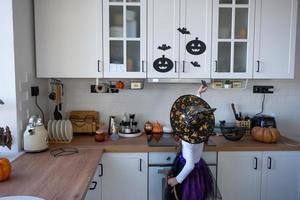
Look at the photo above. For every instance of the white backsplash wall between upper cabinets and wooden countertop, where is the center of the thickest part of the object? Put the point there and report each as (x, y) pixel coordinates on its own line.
(154, 102)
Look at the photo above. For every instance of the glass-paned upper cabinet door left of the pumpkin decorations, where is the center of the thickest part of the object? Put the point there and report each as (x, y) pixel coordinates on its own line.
(124, 38)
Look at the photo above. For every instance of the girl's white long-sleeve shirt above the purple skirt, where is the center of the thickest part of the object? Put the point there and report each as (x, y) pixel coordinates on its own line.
(192, 154)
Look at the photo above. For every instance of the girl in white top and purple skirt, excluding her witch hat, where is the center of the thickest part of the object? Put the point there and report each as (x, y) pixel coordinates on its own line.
(192, 173)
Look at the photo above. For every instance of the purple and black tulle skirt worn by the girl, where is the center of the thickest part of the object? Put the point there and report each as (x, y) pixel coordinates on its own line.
(199, 184)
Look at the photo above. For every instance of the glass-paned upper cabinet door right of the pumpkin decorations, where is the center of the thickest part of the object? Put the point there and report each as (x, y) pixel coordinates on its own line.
(232, 39)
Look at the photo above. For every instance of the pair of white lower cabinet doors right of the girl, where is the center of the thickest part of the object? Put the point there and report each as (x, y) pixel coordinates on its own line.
(259, 175)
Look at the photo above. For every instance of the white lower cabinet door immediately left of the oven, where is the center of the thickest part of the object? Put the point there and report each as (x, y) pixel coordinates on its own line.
(124, 176)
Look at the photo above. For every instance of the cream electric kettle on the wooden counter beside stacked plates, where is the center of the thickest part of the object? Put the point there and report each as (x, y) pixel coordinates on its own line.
(35, 135)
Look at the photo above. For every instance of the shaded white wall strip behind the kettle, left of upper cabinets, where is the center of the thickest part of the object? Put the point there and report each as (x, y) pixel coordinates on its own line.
(25, 66)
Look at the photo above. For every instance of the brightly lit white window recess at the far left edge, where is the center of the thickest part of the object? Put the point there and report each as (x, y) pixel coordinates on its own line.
(7, 70)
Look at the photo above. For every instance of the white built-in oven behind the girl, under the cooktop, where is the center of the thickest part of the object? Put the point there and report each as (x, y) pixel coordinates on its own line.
(159, 165)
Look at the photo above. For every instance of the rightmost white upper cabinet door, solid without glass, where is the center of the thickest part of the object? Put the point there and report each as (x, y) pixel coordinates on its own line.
(275, 39)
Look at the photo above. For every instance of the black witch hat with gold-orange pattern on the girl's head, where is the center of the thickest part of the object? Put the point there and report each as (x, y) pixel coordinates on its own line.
(192, 119)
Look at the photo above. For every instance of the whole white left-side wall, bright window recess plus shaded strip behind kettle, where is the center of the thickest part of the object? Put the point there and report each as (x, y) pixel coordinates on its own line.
(17, 64)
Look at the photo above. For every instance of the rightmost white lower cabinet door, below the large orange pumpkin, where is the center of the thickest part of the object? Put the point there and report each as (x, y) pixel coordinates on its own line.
(281, 176)
